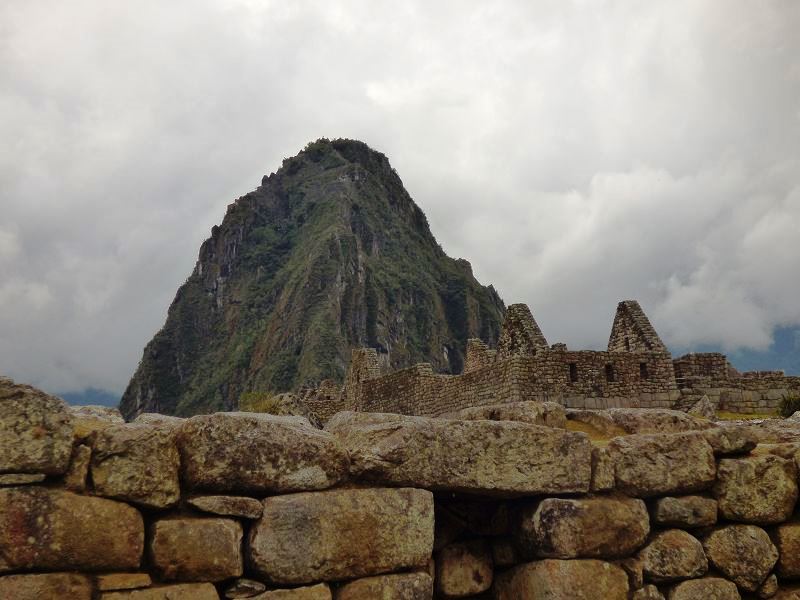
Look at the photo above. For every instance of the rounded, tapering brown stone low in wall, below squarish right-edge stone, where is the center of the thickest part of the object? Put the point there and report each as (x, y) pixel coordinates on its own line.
(743, 553)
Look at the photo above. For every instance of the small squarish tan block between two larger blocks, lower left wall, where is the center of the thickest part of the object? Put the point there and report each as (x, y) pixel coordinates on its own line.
(196, 549)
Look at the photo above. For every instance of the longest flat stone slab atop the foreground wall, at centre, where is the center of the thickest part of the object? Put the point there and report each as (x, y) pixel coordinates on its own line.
(487, 457)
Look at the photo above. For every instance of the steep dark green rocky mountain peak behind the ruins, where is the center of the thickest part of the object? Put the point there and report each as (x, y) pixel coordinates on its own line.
(328, 254)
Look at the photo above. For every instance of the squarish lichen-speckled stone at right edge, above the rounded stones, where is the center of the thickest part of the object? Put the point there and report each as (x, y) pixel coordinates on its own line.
(756, 489)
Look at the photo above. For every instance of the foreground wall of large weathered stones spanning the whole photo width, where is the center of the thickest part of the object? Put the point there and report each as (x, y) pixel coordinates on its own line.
(496, 502)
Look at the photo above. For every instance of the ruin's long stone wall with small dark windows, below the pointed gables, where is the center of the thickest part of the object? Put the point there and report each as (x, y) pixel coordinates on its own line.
(577, 379)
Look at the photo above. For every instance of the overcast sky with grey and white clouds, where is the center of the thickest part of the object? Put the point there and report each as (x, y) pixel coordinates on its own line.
(575, 152)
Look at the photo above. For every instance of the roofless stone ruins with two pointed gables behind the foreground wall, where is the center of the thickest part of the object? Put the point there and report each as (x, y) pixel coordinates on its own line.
(636, 371)
